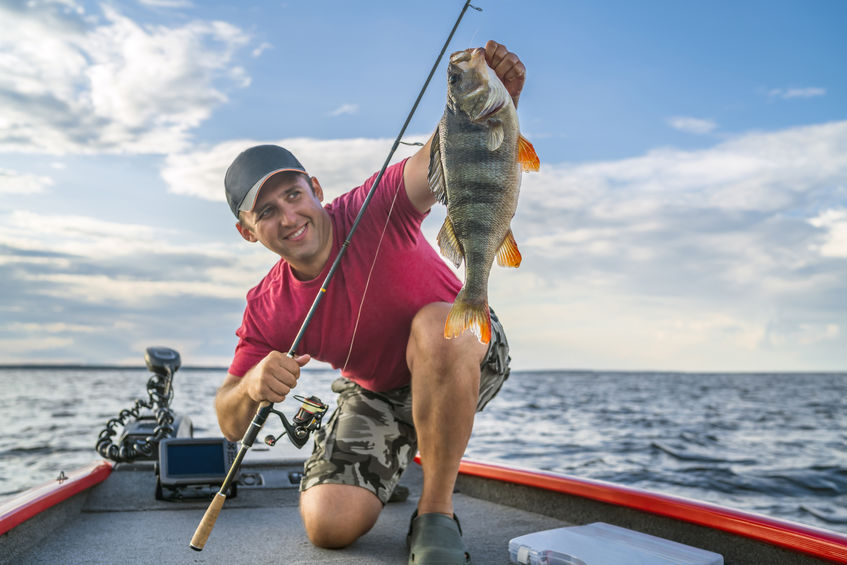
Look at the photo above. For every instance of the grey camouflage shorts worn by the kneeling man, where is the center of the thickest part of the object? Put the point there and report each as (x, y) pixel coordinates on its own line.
(370, 438)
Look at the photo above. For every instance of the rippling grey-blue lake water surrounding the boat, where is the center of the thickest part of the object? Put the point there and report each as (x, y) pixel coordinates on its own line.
(775, 444)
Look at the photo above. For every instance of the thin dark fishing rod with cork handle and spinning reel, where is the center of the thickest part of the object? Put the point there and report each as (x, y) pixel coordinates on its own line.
(312, 410)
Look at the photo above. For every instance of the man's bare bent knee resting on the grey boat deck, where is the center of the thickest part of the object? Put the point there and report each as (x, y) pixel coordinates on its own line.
(337, 515)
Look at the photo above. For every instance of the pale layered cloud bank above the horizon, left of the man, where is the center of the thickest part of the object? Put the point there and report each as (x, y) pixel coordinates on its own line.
(80, 289)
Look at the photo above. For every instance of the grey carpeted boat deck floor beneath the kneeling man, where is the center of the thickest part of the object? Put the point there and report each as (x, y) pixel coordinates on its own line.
(119, 521)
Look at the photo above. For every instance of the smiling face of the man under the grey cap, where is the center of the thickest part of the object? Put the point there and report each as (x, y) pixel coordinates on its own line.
(290, 220)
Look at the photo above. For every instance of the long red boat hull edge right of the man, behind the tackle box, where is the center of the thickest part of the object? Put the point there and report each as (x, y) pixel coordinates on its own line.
(819, 543)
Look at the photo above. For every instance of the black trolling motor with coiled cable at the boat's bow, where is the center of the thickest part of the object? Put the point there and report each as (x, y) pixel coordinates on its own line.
(142, 433)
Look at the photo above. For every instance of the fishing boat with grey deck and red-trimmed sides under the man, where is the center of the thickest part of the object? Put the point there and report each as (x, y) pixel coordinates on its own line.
(142, 511)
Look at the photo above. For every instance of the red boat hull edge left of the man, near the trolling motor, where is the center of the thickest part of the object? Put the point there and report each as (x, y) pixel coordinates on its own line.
(30, 503)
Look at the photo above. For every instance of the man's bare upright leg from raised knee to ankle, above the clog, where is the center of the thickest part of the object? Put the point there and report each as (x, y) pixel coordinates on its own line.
(445, 389)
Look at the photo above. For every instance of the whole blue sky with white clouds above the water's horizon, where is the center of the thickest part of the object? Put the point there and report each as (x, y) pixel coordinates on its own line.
(690, 213)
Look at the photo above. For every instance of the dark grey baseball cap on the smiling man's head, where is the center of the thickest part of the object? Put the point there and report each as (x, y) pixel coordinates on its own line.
(251, 170)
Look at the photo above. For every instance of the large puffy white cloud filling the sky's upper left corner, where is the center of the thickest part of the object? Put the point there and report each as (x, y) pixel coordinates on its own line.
(72, 82)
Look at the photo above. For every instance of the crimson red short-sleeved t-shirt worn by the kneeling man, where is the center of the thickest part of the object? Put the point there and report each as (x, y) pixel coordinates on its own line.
(407, 275)
